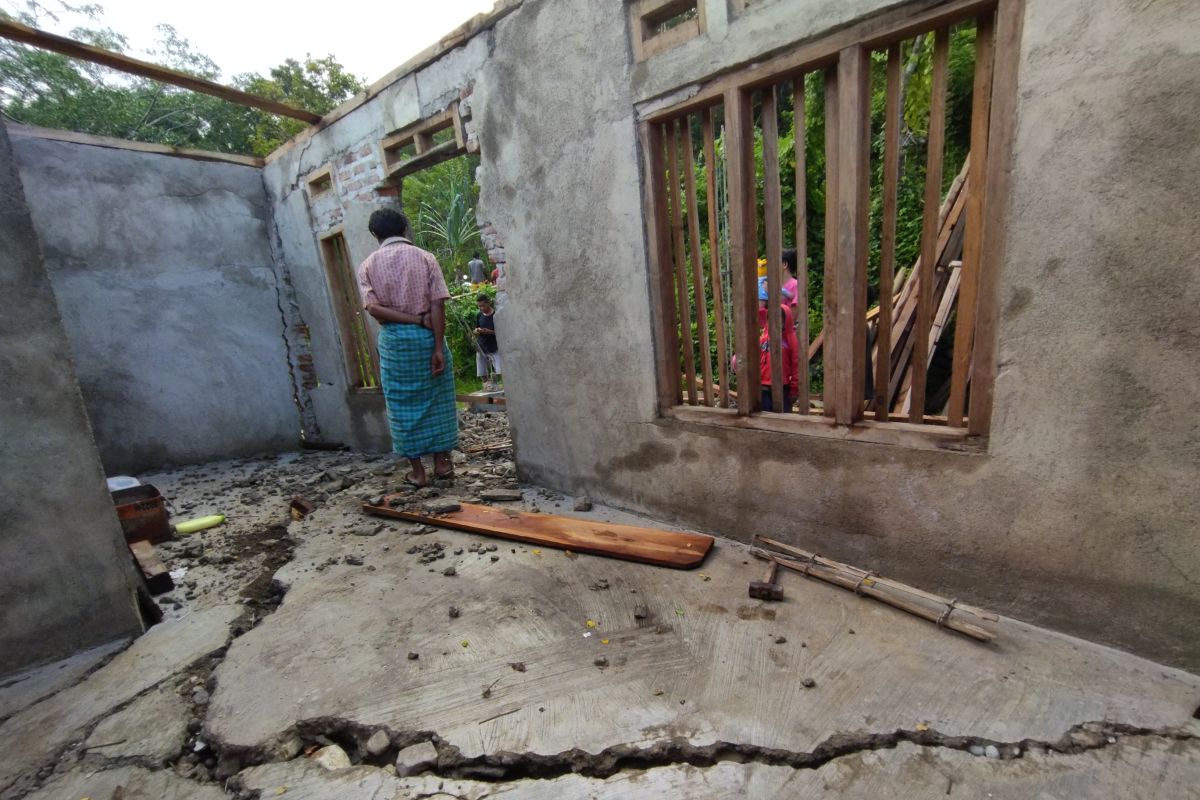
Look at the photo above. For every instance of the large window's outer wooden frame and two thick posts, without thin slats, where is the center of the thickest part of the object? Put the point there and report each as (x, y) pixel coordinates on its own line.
(844, 56)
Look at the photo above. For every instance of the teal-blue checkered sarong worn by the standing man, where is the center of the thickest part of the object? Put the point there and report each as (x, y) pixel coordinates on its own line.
(421, 407)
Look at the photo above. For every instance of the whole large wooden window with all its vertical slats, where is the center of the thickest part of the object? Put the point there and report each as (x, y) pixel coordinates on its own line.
(748, 101)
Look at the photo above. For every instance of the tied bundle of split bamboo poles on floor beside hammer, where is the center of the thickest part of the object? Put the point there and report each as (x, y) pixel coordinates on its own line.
(919, 603)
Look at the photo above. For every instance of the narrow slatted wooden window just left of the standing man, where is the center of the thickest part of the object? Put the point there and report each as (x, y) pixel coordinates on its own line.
(358, 338)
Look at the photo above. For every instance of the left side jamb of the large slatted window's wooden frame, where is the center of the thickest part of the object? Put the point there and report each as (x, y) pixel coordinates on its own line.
(663, 282)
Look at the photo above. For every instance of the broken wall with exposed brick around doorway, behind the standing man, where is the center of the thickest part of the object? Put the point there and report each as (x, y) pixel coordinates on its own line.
(349, 145)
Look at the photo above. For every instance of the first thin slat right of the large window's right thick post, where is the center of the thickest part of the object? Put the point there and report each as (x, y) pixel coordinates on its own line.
(889, 236)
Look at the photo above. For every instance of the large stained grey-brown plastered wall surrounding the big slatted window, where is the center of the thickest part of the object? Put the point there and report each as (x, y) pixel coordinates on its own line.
(1082, 515)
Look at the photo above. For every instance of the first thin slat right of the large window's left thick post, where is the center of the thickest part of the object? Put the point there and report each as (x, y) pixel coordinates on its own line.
(772, 207)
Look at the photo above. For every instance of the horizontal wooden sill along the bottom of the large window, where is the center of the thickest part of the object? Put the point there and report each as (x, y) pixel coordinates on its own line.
(901, 435)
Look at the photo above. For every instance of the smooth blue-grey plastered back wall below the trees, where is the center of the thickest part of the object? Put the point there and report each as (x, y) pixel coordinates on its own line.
(164, 272)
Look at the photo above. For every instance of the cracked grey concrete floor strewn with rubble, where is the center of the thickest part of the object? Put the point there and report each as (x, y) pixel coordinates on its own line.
(699, 697)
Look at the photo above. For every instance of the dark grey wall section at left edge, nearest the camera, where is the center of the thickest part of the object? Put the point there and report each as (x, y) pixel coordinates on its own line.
(67, 582)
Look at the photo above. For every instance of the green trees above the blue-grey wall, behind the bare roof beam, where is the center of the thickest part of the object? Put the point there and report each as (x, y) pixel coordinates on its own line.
(52, 91)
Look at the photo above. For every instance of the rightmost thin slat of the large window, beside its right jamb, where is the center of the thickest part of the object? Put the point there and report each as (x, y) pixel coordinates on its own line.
(969, 291)
